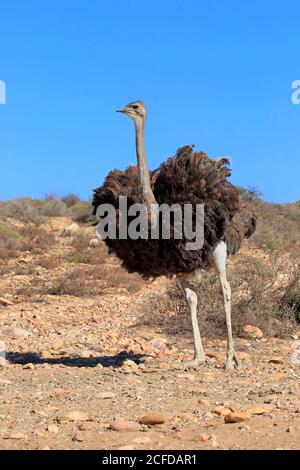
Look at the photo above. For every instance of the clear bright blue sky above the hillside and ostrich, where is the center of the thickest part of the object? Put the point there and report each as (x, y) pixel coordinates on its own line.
(216, 74)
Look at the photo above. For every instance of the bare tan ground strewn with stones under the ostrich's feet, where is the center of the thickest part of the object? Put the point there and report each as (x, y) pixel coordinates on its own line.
(86, 373)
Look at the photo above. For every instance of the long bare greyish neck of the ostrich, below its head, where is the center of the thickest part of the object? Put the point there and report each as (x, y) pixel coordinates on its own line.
(144, 176)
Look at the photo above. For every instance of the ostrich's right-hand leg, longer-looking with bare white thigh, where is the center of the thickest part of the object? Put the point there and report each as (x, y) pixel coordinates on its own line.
(219, 260)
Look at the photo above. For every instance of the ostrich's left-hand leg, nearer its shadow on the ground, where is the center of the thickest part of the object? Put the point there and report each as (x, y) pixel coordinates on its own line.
(191, 301)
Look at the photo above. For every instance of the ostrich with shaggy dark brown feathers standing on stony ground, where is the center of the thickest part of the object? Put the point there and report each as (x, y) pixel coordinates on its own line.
(189, 177)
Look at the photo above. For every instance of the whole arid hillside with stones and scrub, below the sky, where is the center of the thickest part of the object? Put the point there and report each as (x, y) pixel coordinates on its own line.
(88, 349)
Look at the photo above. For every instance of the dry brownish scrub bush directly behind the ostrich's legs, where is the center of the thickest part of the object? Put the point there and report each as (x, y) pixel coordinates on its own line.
(258, 298)
